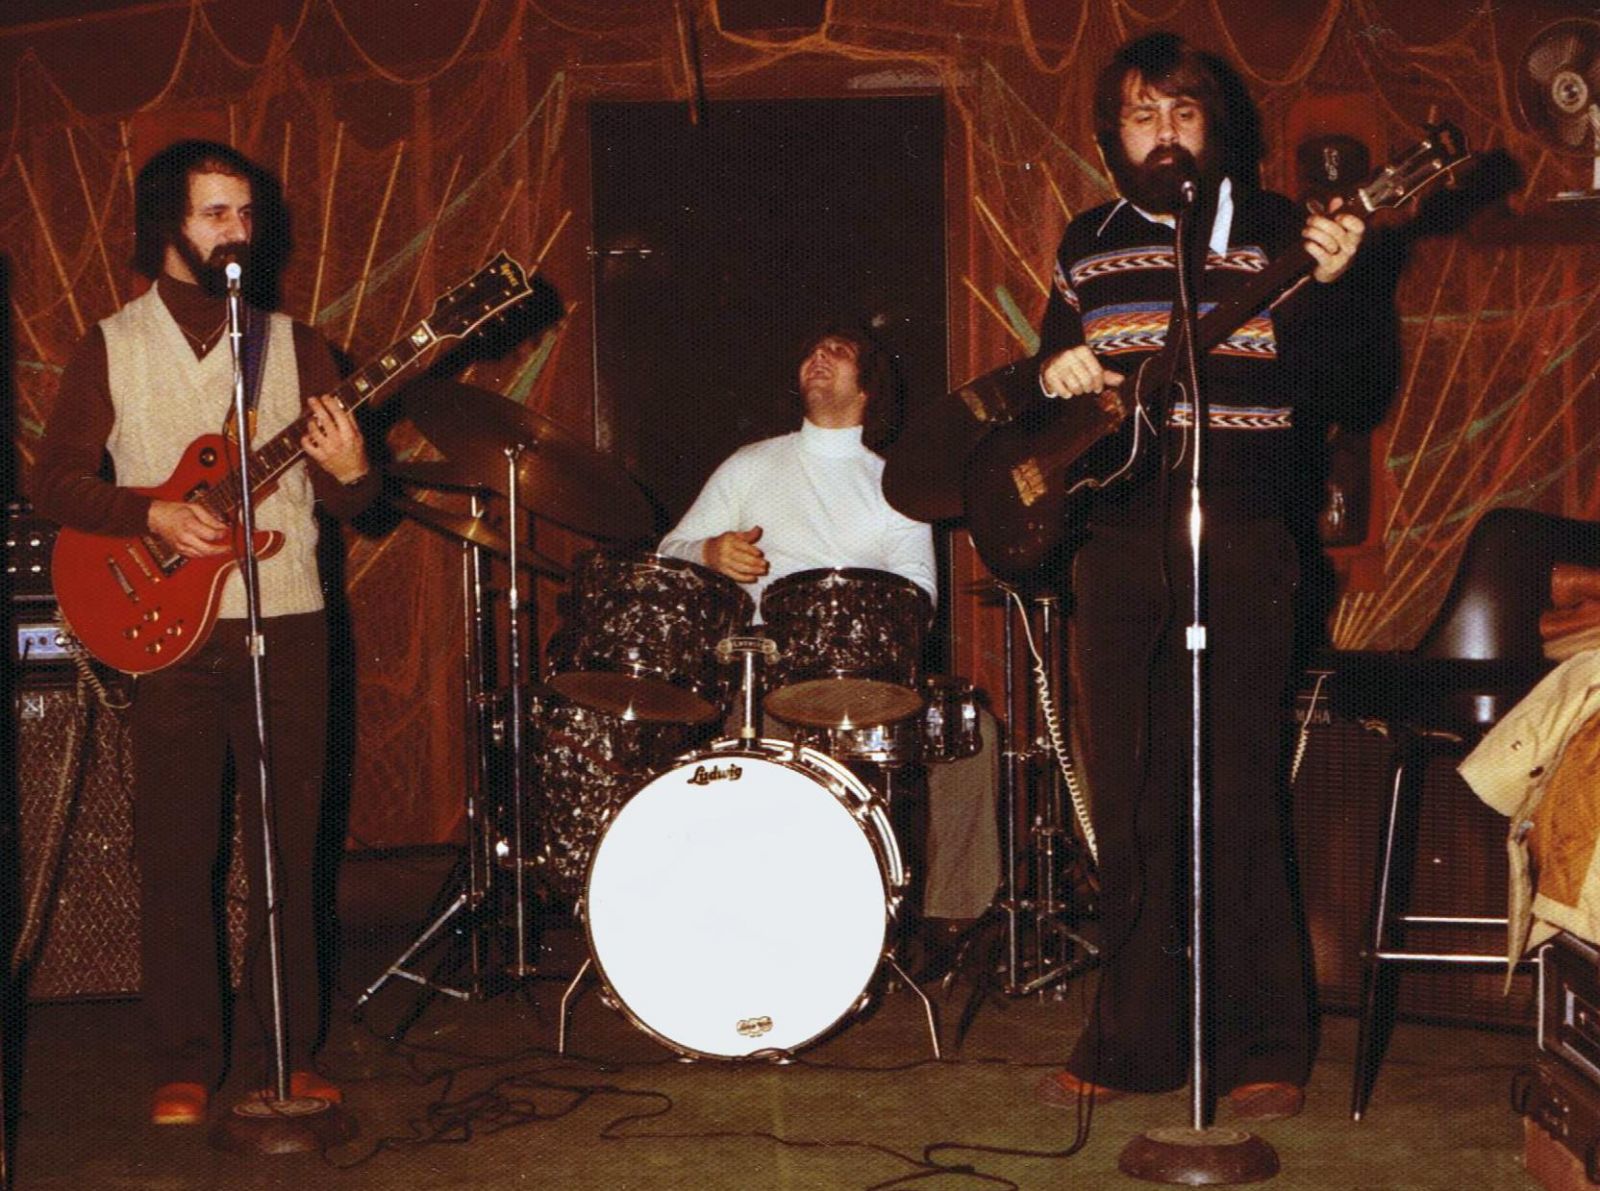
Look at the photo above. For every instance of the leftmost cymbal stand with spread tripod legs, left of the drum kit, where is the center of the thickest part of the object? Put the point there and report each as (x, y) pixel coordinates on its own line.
(478, 865)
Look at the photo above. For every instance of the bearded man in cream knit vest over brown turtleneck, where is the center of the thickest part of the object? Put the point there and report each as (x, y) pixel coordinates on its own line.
(142, 387)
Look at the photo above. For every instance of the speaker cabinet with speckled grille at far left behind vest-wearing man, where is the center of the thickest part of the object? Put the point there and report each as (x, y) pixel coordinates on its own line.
(79, 883)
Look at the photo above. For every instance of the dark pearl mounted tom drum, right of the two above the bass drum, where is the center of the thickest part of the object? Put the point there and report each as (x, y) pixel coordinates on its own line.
(849, 648)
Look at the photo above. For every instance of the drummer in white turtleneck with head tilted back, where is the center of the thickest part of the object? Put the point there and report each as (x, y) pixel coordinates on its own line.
(810, 499)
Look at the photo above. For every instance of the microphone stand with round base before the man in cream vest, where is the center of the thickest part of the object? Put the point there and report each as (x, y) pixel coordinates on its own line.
(266, 1123)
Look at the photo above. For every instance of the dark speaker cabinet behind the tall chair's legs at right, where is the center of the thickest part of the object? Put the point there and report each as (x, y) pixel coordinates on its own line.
(1340, 804)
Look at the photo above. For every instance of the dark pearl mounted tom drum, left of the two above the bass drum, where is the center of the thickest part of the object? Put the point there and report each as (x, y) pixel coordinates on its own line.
(644, 641)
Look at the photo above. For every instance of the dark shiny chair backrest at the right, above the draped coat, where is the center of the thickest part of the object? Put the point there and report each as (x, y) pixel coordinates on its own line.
(1503, 583)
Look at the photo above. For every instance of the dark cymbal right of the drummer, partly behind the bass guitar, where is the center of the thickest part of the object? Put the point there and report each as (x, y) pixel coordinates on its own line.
(927, 463)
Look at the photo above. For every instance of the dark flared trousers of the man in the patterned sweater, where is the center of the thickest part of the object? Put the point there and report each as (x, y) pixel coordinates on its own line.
(1132, 683)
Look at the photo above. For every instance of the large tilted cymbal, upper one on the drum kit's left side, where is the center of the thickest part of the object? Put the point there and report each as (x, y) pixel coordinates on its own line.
(558, 476)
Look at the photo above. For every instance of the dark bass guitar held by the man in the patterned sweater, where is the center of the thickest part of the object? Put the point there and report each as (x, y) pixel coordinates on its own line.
(1030, 481)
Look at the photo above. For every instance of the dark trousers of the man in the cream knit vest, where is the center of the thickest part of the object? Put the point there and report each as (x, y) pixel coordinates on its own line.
(185, 721)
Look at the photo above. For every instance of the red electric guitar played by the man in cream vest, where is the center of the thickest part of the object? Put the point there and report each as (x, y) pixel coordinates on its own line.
(140, 606)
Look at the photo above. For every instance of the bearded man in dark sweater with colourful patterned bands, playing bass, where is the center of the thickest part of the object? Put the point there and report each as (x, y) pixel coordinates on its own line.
(1164, 116)
